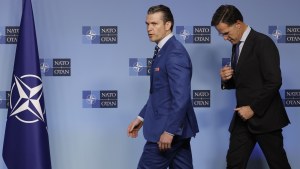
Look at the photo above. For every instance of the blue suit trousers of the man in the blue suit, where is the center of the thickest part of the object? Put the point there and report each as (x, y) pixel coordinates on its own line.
(178, 157)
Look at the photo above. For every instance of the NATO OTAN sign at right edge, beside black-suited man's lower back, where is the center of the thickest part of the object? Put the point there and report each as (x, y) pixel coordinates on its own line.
(292, 98)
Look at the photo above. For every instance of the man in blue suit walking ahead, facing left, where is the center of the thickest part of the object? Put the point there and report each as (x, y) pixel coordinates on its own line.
(168, 118)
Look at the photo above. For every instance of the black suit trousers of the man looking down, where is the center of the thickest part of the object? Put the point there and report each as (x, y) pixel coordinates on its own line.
(242, 143)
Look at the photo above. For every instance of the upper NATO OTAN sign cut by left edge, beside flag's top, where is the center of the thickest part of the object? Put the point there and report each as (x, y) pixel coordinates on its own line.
(9, 34)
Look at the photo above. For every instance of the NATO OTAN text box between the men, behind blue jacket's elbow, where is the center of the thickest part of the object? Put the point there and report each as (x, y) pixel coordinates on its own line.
(201, 98)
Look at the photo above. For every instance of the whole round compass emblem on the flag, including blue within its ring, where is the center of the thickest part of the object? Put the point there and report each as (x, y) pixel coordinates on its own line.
(25, 100)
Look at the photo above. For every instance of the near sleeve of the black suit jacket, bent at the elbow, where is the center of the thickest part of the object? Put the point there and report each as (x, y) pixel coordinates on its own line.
(270, 73)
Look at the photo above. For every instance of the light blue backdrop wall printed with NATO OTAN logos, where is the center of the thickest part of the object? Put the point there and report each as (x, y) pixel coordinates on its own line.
(96, 48)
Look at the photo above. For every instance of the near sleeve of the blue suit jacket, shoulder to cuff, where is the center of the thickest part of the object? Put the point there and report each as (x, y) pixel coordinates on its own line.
(179, 71)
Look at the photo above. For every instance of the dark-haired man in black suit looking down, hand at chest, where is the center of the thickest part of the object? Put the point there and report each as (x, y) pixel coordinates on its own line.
(255, 74)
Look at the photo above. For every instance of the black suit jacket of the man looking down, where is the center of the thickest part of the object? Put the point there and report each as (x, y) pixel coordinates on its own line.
(257, 80)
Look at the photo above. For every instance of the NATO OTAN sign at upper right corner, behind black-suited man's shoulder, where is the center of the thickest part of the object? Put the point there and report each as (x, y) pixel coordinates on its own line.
(285, 34)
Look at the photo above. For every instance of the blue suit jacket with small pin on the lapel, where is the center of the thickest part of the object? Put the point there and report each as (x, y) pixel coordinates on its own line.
(169, 107)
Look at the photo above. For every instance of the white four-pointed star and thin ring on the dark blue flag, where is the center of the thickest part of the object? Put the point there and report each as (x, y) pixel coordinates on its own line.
(29, 99)
